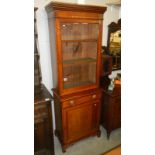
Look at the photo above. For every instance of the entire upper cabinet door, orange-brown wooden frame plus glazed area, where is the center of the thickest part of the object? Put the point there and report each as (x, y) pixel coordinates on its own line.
(71, 80)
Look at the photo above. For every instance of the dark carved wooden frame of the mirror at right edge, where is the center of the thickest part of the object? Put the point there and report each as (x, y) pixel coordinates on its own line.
(113, 27)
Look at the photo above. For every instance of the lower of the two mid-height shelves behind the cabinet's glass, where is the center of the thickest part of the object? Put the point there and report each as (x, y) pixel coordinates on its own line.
(78, 61)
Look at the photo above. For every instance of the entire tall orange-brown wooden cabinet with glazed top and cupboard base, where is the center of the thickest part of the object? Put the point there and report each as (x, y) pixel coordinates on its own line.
(75, 38)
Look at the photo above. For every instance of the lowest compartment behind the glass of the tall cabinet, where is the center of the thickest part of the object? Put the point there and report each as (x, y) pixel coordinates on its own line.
(79, 75)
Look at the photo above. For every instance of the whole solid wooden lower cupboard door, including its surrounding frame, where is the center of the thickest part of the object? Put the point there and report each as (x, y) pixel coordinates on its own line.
(80, 120)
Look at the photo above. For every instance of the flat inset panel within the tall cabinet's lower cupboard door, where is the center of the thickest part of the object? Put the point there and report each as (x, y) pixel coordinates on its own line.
(79, 121)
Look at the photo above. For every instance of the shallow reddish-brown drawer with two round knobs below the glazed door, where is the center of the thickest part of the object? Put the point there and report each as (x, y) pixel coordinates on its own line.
(77, 101)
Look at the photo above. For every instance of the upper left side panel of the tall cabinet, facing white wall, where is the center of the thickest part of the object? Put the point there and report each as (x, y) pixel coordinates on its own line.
(51, 22)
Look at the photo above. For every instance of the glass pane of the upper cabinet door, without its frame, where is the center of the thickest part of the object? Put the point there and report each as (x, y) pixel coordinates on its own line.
(79, 54)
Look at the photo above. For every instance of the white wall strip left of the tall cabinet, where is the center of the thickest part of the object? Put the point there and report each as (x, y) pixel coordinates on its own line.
(44, 46)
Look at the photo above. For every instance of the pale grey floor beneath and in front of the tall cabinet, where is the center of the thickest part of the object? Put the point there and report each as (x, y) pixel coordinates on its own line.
(91, 145)
